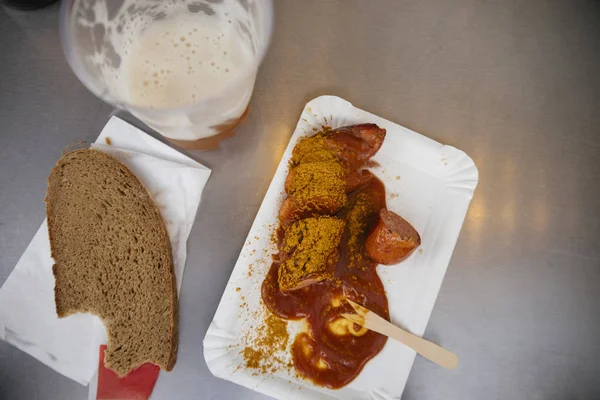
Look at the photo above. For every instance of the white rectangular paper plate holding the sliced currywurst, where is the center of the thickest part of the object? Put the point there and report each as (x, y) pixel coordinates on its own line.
(429, 184)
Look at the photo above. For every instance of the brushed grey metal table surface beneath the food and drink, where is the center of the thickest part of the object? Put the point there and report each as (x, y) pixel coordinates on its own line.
(515, 84)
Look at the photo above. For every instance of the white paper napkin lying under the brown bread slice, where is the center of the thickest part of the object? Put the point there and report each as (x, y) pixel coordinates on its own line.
(28, 317)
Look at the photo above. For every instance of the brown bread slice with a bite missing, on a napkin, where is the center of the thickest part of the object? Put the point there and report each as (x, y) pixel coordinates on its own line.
(113, 258)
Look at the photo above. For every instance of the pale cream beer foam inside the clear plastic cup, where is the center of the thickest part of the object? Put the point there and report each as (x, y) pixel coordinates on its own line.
(181, 60)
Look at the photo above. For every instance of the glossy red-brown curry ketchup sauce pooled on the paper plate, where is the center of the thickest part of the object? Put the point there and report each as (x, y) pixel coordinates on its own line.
(333, 351)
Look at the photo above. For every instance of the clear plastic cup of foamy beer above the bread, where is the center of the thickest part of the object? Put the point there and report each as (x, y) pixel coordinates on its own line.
(195, 84)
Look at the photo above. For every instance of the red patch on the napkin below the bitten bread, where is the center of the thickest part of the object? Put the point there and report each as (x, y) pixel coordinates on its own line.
(138, 385)
